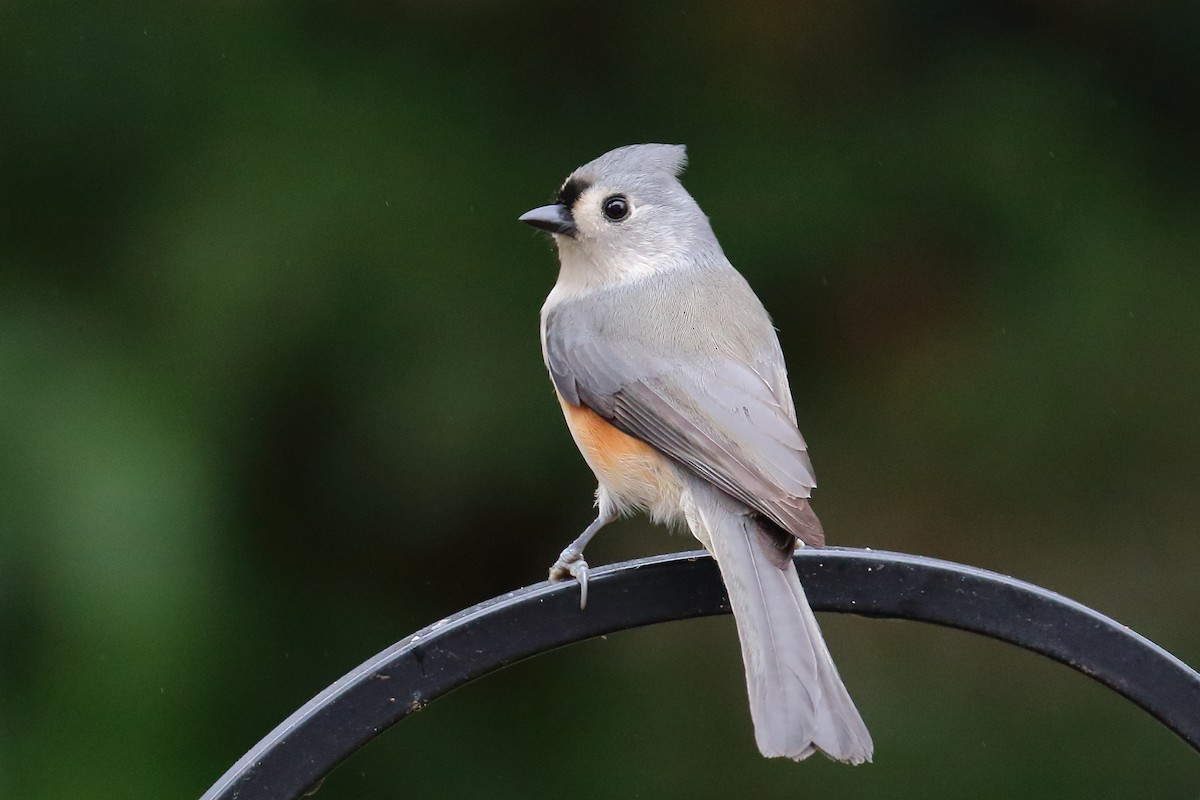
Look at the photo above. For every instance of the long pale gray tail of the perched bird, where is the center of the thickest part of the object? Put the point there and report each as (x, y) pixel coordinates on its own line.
(797, 700)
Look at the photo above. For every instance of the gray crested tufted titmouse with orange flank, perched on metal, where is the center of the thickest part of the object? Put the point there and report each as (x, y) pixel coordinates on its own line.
(675, 389)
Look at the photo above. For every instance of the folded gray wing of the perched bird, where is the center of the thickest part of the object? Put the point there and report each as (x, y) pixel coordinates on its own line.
(721, 419)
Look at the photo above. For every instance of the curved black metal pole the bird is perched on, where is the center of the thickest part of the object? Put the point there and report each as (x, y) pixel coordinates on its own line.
(406, 677)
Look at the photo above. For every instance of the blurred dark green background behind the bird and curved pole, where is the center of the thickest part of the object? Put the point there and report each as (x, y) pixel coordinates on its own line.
(272, 394)
